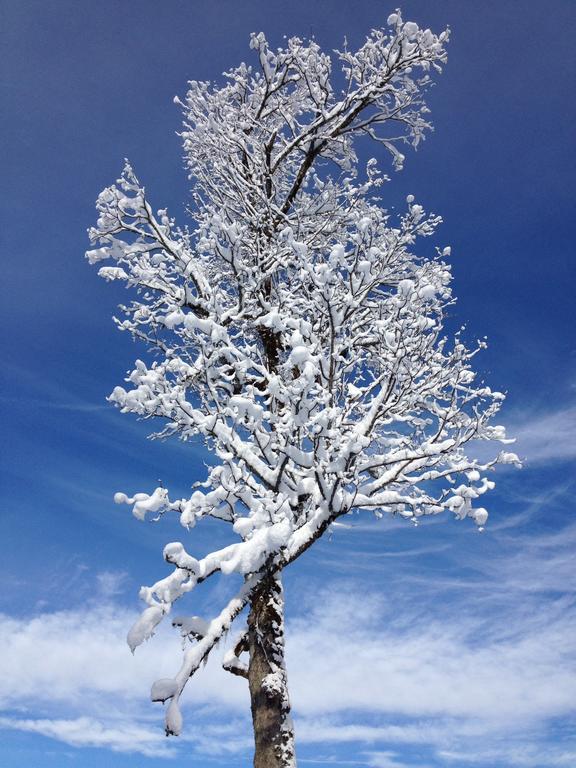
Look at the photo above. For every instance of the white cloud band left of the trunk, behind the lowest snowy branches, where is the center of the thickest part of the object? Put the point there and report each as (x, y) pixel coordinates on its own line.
(80, 658)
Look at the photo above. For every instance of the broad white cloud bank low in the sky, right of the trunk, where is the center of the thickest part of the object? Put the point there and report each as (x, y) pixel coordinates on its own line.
(343, 658)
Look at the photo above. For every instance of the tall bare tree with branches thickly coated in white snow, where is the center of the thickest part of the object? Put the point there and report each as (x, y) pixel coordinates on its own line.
(299, 329)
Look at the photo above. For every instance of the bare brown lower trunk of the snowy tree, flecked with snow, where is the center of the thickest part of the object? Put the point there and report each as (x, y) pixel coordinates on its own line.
(273, 731)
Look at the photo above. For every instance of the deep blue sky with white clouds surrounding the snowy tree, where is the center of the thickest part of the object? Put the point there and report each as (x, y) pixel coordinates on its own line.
(426, 647)
